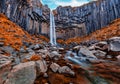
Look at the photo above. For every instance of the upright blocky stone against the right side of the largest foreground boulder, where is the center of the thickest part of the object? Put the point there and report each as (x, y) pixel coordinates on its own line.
(41, 66)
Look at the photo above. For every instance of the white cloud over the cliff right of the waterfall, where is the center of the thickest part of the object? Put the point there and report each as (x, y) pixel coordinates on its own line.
(72, 3)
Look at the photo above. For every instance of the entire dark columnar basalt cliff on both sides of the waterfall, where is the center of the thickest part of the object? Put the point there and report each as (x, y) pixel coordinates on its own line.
(70, 21)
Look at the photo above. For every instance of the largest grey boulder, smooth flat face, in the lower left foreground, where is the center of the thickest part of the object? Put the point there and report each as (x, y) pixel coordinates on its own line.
(24, 73)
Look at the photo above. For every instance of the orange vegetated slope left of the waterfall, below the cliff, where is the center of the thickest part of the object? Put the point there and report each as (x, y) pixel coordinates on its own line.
(12, 34)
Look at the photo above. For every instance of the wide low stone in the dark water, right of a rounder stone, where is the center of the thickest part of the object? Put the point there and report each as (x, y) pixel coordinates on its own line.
(66, 70)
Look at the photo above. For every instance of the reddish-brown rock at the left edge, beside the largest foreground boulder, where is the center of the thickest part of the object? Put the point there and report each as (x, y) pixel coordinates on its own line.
(5, 67)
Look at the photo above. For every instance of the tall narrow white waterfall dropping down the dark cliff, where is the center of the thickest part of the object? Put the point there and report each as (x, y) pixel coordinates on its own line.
(52, 30)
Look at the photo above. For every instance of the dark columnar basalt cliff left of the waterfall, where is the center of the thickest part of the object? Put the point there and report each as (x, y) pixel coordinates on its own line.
(29, 14)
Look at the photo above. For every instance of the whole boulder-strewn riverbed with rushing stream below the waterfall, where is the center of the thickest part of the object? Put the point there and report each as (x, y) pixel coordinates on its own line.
(97, 63)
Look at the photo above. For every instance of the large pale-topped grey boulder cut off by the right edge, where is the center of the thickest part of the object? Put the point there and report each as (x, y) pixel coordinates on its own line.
(114, 44)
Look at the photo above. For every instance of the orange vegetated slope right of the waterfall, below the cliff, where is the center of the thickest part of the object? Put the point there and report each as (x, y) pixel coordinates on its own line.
(109, 31)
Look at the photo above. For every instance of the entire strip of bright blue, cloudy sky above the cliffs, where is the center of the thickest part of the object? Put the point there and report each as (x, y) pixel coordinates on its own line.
(52, 4)
